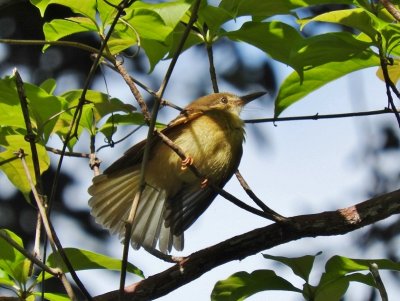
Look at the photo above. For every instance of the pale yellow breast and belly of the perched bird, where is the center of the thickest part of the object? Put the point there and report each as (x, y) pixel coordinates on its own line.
(213, 142)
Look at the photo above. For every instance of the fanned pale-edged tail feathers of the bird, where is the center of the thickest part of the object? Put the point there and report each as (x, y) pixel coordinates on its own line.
(111, 201)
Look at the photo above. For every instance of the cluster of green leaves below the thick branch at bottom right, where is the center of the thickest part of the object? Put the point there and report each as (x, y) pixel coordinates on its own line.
(339, 273)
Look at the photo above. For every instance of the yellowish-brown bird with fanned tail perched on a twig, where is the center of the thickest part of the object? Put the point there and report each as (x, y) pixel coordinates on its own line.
(211, 134)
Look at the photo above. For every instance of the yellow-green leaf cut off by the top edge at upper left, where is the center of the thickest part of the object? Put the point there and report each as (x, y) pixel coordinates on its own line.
(86, 8)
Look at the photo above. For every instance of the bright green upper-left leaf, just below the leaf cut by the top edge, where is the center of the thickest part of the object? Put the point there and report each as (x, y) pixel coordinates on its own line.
(60, 28)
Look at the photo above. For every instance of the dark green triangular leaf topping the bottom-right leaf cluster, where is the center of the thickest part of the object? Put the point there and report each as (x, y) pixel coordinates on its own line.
(301, 266)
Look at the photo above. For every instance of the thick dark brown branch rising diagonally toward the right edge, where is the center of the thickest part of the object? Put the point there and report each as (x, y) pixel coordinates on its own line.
(327, 223)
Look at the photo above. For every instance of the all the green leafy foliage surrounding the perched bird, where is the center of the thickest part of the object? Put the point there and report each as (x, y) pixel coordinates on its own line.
(157, 29)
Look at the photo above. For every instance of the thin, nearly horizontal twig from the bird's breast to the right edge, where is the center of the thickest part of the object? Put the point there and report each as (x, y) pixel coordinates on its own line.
(318, 116)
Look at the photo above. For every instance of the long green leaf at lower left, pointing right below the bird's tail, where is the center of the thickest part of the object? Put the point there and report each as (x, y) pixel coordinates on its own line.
(88, 260)
